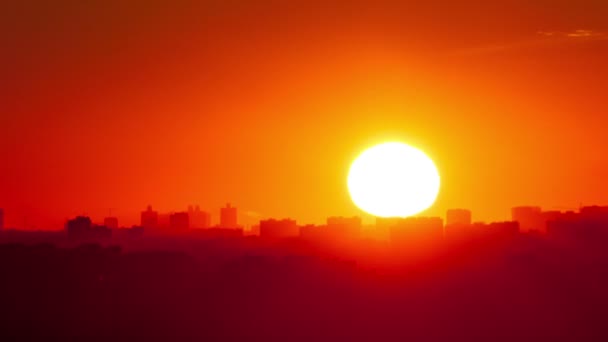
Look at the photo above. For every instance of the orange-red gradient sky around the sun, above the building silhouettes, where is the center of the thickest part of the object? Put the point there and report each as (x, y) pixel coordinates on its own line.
(120, 104)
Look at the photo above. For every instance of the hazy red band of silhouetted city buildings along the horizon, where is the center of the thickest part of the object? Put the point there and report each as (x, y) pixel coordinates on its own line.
(588, 222)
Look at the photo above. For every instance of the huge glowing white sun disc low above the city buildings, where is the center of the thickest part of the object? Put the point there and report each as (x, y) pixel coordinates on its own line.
(393, 180)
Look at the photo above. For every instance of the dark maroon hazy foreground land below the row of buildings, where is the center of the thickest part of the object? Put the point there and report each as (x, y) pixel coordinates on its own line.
(239, 290)
